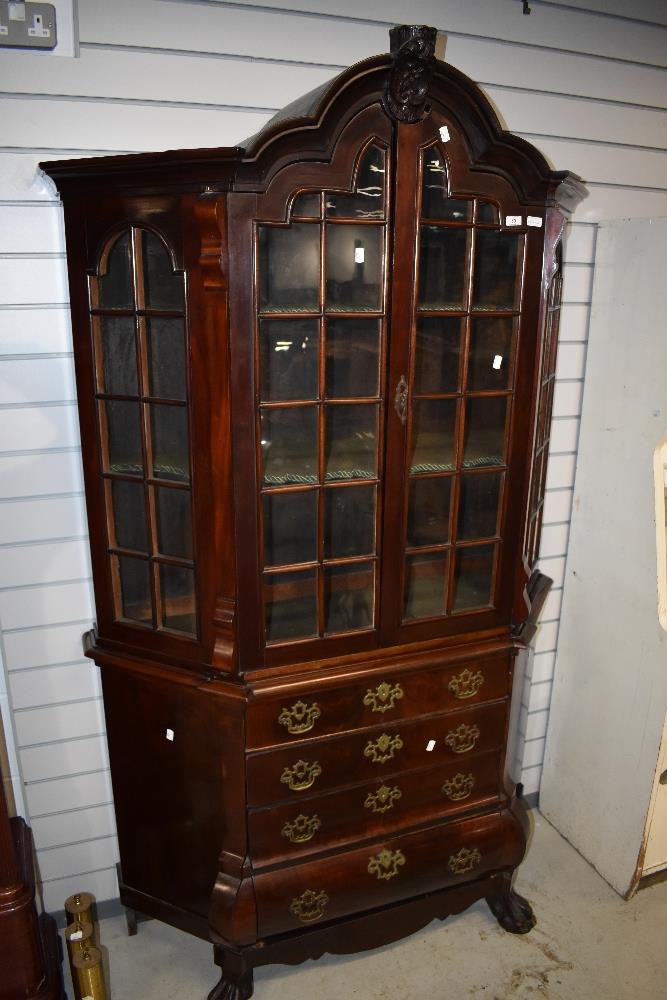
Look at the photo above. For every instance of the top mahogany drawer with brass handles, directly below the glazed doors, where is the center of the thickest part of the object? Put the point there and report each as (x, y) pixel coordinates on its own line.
(382, 696)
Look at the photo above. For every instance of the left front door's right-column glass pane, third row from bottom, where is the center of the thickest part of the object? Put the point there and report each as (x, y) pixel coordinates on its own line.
(351, 442)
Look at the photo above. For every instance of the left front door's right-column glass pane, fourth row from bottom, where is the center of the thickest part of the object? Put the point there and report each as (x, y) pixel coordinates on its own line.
(353, 357)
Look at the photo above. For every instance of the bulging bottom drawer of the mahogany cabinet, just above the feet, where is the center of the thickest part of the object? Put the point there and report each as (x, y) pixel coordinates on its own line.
(387, 871)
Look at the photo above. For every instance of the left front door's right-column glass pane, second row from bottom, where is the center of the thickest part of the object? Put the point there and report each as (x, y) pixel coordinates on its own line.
(349, 522)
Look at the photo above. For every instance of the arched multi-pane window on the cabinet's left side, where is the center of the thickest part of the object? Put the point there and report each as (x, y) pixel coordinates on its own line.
(137, 308)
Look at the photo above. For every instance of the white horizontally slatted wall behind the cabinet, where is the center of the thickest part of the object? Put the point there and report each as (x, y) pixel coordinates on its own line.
(582, 79)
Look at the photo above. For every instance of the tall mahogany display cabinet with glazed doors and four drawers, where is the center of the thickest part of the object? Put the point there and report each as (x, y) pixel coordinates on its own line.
(315, 375)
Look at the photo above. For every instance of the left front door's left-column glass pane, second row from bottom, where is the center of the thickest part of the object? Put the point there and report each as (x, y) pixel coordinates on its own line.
(290, 528)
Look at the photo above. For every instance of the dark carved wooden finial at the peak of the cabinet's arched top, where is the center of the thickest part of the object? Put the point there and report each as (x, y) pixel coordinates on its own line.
(413, 47)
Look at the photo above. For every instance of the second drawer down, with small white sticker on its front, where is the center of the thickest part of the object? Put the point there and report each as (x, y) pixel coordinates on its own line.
(319, 765)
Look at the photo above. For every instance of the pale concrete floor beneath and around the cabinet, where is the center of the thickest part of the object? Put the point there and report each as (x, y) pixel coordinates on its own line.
(588, 944)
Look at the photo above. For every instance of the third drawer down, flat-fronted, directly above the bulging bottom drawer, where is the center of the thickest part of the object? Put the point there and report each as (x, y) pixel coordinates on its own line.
(319, 822)
